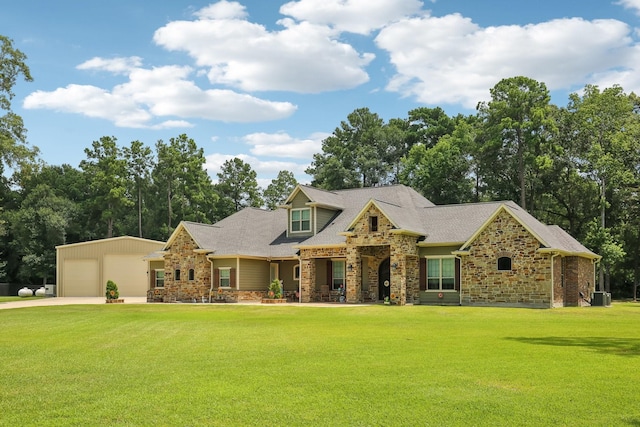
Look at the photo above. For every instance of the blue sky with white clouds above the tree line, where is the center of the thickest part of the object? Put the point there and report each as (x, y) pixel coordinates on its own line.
(268, 80)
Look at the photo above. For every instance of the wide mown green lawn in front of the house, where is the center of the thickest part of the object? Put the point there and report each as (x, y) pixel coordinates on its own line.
(290, 365)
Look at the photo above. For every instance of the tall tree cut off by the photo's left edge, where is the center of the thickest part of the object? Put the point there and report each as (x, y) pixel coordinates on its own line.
(13, 135)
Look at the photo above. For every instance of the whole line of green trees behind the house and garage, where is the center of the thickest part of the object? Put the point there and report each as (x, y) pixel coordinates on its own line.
(577, 166)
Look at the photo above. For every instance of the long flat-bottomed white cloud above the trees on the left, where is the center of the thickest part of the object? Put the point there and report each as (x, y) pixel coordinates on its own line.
(155, 93)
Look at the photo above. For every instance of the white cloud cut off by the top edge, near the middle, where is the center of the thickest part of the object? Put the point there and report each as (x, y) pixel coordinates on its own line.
(355, 16)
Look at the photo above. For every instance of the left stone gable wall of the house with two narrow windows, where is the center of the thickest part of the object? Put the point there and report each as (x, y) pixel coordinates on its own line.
(182, 256)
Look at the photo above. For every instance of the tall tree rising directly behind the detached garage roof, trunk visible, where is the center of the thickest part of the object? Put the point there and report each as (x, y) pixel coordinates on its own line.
(106, 173)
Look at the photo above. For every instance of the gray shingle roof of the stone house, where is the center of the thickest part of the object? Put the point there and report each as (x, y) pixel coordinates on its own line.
(261, 233)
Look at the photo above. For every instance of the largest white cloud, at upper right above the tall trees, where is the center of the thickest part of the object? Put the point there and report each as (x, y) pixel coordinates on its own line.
(451, 60)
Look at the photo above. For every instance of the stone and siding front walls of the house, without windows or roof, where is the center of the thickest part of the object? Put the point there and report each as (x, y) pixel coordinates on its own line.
(373, 247)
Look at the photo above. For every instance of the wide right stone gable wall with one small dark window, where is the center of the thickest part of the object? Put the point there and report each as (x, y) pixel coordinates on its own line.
(527, 284)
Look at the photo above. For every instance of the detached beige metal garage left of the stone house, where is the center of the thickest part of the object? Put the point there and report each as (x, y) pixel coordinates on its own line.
(83, 269)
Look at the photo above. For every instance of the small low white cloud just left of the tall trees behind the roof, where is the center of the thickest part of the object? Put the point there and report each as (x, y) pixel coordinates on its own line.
(282, 144)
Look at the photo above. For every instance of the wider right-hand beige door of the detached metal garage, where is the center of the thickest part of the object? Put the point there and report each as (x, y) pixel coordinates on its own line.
(129, 272)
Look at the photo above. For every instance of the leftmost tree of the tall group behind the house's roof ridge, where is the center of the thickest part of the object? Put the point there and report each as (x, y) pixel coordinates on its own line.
(351, 156)
